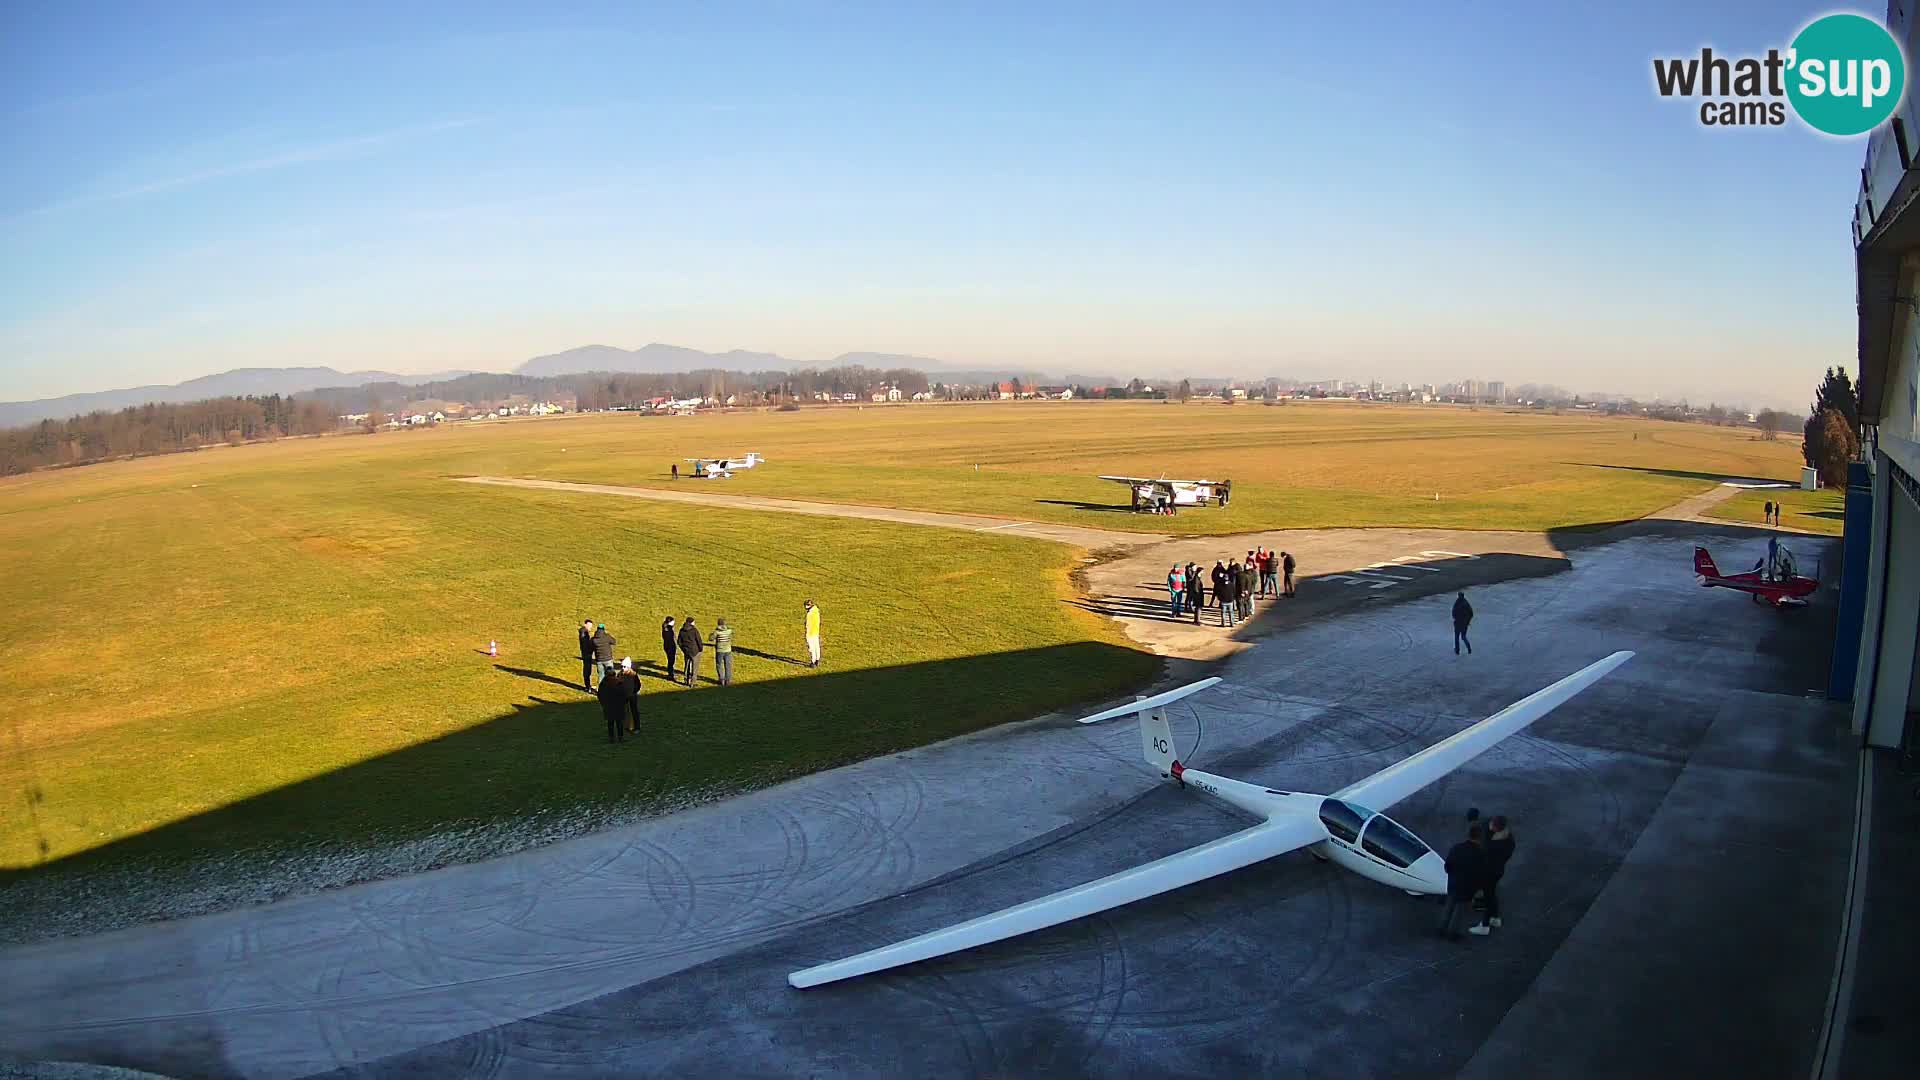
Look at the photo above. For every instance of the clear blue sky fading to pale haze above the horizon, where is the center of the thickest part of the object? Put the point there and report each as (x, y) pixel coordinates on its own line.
(1422, 191)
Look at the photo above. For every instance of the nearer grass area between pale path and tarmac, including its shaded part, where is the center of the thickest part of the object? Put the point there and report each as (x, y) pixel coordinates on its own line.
(199, 631)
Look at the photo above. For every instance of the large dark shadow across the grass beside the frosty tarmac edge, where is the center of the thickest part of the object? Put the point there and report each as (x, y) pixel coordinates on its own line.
(546, 770)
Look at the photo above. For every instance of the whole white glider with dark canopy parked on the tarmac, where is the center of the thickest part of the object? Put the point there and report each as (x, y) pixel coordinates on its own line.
(1337, 827)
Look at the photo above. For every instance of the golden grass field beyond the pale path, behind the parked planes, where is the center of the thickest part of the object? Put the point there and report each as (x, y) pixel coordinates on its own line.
(1303, 466)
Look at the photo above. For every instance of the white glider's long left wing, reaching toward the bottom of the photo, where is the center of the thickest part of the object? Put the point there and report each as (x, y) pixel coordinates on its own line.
(1153, 879)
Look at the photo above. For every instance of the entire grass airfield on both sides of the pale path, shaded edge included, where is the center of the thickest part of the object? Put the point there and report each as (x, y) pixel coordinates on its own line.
(276, 654)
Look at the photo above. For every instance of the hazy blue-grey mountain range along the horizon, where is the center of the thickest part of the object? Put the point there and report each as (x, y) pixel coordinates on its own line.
(646, 360)
